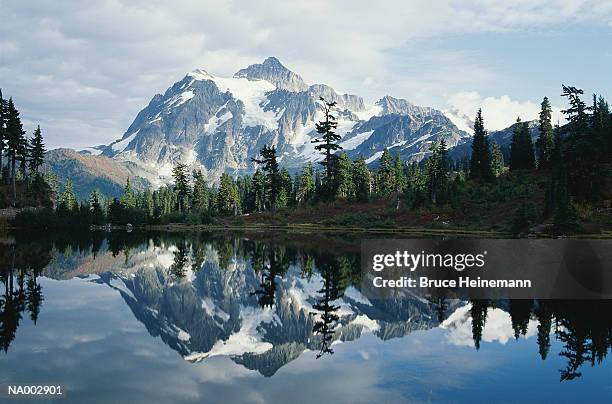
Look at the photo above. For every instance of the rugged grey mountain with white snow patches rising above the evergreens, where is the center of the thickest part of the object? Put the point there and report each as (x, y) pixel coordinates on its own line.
(219, 123)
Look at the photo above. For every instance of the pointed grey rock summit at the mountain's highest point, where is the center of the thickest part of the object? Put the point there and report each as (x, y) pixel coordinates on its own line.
(273, 71)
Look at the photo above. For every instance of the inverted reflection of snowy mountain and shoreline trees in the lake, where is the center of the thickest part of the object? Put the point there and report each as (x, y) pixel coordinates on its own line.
(264, 300)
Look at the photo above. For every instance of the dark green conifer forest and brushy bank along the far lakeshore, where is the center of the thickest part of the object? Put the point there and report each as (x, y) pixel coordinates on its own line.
(561, 183)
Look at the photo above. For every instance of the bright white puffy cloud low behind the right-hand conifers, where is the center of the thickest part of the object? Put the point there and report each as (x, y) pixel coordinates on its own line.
(498, 112)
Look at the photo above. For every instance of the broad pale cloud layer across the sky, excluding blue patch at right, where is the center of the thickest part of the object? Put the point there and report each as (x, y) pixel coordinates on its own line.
(94, 57)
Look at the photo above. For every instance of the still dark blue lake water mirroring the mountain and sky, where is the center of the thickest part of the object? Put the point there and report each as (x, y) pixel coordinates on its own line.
(259, 318)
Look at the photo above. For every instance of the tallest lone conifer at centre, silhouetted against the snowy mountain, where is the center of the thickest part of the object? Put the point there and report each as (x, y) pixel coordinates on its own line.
(327, 144)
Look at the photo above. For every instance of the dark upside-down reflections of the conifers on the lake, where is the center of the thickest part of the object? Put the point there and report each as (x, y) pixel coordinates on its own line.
(583, 328)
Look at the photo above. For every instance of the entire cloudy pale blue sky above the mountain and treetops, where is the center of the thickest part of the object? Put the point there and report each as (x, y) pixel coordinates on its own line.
(84, 69)
